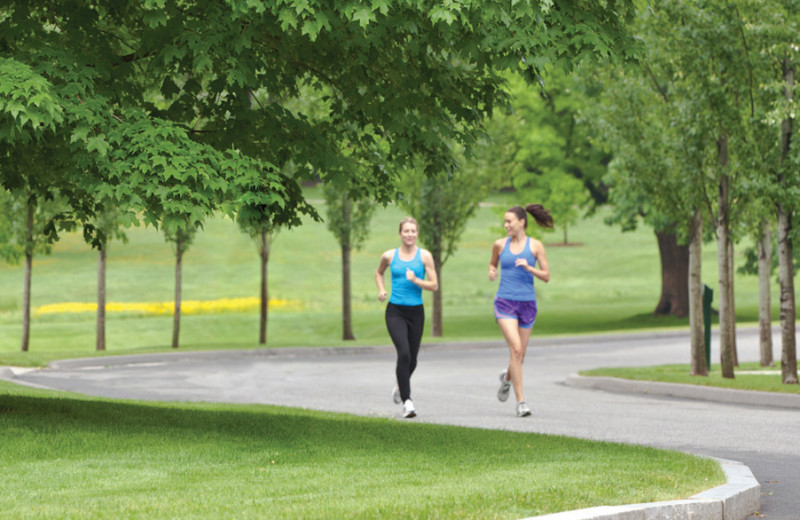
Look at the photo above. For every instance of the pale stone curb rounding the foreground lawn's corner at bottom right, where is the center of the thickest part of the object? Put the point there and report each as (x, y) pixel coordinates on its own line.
(736, 500)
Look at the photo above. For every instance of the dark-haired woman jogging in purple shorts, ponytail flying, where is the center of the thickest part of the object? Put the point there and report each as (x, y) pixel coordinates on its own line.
(515, 303)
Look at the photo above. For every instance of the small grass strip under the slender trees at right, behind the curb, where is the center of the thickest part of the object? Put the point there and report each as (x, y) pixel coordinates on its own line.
(748, 376)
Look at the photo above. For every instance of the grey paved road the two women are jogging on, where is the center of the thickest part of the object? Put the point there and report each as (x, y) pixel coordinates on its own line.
(456, 384)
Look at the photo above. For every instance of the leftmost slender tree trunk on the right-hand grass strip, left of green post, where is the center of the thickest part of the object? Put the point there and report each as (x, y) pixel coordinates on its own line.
(696, 323)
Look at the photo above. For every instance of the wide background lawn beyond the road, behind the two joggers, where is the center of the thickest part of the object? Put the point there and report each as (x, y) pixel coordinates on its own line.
(605, 280)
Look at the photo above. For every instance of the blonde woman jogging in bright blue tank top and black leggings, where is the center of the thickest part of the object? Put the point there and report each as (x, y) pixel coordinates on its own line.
(405, 317)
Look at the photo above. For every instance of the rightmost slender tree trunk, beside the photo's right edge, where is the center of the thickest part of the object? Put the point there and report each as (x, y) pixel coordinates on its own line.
(786, 250)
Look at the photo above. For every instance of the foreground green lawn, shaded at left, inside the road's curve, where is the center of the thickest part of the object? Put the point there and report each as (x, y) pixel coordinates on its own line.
(67, 456)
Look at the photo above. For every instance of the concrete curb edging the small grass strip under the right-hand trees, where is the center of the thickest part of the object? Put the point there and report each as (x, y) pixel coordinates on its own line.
(696, 392)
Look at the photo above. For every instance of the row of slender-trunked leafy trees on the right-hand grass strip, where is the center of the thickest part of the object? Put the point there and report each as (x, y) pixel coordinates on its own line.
(702, 139)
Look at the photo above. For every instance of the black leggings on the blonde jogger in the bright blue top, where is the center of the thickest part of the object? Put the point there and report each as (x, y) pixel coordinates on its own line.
(405, 324)
